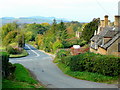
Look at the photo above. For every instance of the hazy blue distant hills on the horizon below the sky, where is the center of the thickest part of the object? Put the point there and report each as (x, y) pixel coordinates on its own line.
(33, 19)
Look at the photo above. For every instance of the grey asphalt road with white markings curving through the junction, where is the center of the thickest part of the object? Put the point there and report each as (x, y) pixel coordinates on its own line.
(41, 65)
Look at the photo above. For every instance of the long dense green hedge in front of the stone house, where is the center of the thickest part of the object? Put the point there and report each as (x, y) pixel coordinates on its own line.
(91, 62)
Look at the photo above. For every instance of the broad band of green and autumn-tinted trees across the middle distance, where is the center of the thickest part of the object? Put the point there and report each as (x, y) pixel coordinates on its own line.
(48, 37)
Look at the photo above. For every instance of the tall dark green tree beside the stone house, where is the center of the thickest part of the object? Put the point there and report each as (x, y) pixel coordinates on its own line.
(89, 29)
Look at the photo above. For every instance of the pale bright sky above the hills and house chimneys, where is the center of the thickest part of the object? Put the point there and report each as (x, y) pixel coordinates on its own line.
(76, 10)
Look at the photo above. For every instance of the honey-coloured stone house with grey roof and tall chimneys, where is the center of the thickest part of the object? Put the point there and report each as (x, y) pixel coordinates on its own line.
(106, 39)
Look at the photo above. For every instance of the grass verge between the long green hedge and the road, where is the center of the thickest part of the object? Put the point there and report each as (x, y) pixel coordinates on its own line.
(95, 77)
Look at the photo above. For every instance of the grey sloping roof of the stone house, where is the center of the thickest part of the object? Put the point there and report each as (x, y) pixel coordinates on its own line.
(107, 32)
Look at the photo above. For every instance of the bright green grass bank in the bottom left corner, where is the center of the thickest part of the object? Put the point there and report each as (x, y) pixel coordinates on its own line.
(21, 79)
